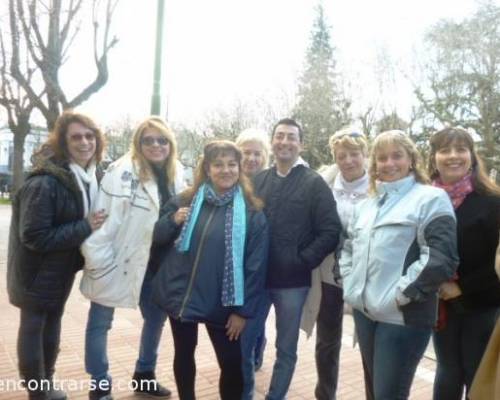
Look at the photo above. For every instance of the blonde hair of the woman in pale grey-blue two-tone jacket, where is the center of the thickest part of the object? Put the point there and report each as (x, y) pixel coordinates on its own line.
(396, 138)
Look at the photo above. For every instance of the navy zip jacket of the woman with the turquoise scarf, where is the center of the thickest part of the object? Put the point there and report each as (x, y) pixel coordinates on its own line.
(188, 285)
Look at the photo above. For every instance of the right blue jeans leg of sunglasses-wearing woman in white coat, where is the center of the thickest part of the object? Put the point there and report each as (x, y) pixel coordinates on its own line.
(154, 320)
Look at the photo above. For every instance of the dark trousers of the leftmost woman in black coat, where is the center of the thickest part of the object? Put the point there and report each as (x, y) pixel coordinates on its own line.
(37, 347)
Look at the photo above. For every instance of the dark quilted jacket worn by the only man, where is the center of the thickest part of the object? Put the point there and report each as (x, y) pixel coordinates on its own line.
(304, 226)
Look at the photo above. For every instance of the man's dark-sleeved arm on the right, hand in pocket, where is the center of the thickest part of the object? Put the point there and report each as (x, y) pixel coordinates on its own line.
(325, 224)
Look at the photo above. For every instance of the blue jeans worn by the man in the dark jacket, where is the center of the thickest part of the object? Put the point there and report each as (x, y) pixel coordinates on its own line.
(288, 304)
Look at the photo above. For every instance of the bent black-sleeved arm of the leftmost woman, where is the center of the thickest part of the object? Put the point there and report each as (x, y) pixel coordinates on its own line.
(37, 213)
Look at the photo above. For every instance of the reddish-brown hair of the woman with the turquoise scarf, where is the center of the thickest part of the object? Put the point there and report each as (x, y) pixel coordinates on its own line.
(211, 151)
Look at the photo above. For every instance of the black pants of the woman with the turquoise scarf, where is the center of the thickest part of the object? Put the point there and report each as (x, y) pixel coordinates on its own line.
(228, 354)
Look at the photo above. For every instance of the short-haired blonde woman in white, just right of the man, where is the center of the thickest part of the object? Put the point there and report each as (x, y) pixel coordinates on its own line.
(348, 180)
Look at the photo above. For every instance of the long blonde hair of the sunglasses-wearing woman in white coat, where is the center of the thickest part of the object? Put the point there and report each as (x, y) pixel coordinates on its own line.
(158, 125)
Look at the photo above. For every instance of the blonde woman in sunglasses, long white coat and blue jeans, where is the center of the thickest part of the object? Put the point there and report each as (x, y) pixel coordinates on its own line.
(117, 272)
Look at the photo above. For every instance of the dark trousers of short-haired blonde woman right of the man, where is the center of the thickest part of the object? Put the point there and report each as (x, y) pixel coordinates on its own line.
(328, 340)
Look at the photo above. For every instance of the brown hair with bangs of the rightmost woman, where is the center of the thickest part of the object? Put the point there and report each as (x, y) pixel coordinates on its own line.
(458, 136)
